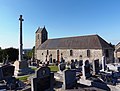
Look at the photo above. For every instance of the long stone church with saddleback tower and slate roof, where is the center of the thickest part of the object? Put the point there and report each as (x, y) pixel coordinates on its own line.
(90, 47)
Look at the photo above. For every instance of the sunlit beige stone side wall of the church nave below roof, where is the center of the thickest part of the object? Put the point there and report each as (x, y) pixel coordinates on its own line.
(78, 54)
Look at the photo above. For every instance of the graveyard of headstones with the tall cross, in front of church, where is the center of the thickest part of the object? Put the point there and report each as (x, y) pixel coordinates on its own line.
(53, 75)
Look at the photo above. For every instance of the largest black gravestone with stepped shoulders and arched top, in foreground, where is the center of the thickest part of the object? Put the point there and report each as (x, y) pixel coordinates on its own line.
(43, 80)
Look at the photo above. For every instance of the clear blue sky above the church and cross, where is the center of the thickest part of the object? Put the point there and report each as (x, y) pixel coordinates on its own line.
(62, 18)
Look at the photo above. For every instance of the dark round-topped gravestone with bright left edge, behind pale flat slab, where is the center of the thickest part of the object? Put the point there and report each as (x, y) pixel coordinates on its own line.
(86, 69)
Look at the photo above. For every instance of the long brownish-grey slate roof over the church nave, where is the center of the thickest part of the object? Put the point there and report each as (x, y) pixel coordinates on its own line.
(78, 42)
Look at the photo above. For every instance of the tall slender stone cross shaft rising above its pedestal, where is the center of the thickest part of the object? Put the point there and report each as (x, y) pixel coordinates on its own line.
(20, 48)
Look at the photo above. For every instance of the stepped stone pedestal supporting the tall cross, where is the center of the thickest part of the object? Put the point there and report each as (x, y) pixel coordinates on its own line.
(21, 68)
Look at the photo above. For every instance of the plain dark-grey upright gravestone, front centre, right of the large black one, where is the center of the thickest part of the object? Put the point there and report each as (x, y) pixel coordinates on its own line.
(69, 79)
